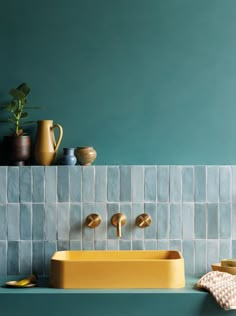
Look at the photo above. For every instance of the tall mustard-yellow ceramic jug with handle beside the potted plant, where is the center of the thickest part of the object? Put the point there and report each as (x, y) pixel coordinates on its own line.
(46, 147)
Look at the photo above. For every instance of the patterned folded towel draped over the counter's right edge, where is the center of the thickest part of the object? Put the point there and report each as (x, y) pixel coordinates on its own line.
(222, 286)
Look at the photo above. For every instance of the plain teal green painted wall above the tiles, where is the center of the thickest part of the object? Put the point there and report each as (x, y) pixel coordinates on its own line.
(143, 81)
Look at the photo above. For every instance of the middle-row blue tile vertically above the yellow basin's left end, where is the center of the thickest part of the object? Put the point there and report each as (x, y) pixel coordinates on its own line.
(50, 221)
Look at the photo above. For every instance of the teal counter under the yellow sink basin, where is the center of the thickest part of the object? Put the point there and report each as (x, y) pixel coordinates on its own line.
(45, 301)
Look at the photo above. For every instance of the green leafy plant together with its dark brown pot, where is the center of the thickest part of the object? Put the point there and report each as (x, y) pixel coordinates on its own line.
(18, 144)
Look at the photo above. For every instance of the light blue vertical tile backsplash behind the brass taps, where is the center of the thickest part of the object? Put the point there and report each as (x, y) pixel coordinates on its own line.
(43, 209)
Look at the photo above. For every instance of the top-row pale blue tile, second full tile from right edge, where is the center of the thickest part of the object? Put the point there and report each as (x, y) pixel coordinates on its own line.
(212, 184)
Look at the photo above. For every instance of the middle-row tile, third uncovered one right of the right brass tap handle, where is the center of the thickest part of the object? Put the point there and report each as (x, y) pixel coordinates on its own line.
(188, 220)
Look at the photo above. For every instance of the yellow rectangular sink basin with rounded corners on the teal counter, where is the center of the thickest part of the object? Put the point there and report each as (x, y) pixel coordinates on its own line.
(117, 269)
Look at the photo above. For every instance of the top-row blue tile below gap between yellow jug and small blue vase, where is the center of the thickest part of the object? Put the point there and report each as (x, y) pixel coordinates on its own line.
(63, 184)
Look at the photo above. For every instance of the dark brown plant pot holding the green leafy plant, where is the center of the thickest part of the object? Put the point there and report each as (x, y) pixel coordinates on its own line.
(17, 149)
